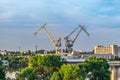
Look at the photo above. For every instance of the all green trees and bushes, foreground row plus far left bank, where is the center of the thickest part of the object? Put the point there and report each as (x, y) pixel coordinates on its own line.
(51, 67)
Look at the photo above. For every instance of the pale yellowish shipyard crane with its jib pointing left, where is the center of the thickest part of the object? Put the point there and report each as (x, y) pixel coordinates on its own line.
(56, 43)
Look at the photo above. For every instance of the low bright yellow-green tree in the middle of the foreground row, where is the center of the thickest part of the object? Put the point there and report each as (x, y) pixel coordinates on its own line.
(70, 72)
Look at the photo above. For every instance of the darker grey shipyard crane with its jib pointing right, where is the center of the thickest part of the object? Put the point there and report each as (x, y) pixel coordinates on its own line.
(68, 42)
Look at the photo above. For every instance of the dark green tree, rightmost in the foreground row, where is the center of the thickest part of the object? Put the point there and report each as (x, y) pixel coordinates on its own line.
(97, 68)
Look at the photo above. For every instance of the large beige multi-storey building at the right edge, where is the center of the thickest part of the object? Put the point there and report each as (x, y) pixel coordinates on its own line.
(111, 49)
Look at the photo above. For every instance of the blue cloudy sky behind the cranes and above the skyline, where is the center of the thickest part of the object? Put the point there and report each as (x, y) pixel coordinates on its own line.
(19, 19)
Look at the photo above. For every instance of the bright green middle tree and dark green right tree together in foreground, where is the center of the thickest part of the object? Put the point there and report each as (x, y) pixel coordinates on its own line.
(94, 69)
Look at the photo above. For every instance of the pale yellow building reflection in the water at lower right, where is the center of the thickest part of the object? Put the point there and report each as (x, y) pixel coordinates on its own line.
(115, 72)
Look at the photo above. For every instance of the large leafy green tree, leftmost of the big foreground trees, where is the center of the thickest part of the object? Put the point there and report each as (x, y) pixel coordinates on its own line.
(44, 66)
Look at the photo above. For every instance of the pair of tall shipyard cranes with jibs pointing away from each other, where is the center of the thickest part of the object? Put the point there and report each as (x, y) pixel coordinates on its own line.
(57, 42)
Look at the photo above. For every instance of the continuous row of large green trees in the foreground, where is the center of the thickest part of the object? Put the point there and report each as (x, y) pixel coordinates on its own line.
(51, 67)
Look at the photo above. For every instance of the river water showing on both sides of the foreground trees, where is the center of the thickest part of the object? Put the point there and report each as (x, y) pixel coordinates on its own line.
(115, 73)
